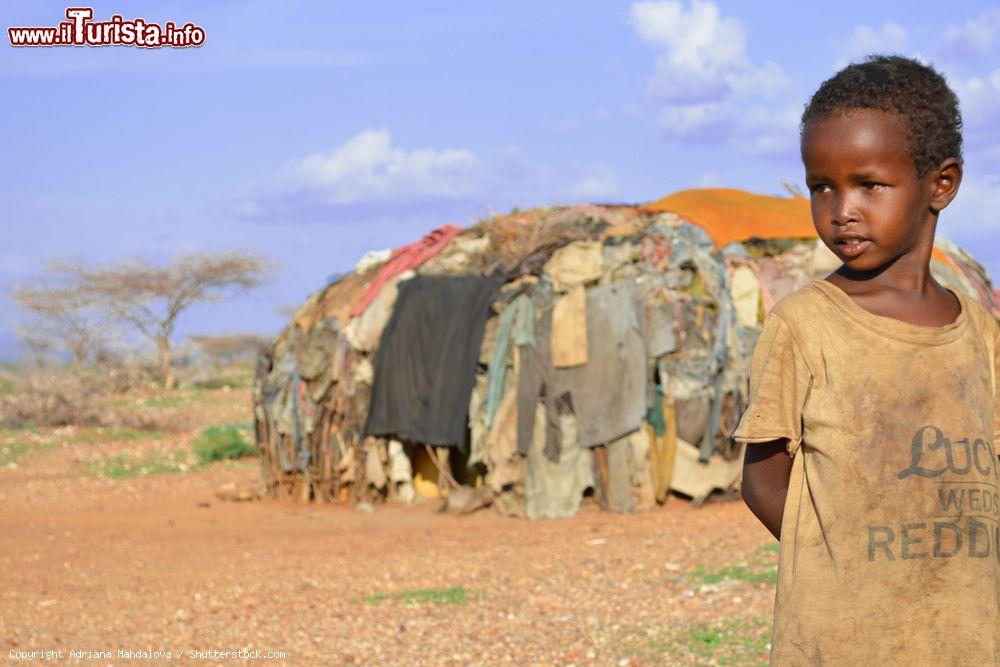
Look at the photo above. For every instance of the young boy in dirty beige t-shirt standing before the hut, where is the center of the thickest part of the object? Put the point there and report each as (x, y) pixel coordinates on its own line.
(874, 413)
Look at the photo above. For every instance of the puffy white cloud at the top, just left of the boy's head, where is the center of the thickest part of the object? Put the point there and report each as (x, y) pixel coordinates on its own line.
(705, 84)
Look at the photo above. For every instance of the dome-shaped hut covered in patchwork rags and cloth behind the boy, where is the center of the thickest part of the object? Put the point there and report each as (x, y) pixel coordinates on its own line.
(540, 357)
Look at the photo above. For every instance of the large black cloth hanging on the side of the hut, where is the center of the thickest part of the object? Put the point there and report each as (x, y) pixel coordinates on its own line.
(425, 368)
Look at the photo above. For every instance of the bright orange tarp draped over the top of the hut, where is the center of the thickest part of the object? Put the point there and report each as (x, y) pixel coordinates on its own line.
(730, 215)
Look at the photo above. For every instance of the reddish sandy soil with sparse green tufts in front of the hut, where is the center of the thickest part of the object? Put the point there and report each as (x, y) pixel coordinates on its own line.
(159, 563)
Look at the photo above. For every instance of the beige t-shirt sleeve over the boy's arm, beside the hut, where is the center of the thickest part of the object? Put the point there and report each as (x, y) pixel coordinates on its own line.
(779, 385)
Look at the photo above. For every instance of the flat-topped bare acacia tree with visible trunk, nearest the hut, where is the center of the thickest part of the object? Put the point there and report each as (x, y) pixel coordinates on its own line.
(151, 297)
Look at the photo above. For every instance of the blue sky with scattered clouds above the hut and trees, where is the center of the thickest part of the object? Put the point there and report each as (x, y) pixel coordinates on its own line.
(314, 131)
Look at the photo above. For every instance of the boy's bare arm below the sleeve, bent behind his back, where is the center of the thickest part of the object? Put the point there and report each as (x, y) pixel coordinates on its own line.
(766, 469)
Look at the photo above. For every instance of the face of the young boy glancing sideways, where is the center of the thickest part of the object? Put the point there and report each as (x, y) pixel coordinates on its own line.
(868, 205)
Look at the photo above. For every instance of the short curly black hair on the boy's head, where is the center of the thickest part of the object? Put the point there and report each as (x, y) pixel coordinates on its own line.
(915, 91)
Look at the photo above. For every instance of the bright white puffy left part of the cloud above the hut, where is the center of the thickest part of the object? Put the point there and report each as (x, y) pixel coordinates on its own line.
(368, 167)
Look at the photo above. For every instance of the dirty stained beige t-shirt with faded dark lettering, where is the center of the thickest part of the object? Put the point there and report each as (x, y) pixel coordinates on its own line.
(890, 547)
